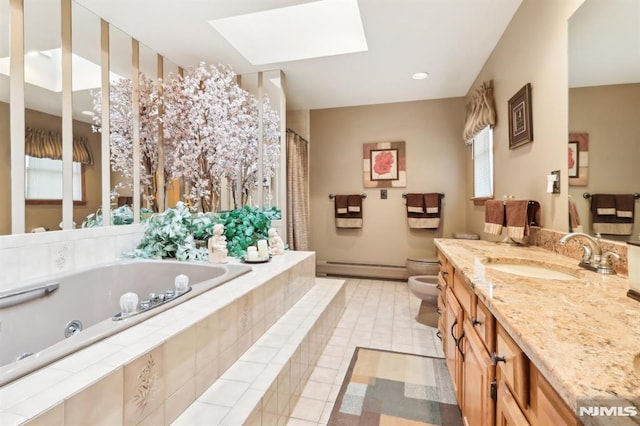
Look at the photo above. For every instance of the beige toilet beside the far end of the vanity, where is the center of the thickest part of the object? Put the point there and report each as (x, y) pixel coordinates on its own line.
(423, 283)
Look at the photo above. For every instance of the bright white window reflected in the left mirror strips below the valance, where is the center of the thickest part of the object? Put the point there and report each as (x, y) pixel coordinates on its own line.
(43, 180)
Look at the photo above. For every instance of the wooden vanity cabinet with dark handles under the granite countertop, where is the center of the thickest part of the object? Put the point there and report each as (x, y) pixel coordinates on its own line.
(494, 381)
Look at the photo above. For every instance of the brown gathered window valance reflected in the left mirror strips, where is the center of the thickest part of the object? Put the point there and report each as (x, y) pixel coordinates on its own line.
(42, 143)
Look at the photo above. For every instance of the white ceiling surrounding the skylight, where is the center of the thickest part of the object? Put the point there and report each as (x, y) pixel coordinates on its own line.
(449, 39)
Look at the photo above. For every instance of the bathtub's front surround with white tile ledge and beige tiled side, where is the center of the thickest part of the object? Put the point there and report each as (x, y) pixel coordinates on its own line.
(147, 374)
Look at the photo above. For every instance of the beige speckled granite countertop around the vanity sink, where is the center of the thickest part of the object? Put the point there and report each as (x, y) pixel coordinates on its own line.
(582, 334)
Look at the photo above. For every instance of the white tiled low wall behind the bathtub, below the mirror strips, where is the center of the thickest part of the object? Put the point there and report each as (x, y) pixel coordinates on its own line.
(27, 256)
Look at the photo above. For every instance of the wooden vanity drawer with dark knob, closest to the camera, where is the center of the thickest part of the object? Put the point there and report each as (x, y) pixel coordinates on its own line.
(512, 366)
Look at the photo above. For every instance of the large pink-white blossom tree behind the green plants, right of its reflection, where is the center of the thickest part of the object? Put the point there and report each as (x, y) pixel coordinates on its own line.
(211, 134)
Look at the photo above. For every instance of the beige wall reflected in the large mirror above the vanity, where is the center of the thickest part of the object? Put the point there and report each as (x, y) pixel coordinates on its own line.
(609, 114)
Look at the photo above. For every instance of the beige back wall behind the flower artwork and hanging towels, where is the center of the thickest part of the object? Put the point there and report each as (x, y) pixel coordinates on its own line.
(432, 131)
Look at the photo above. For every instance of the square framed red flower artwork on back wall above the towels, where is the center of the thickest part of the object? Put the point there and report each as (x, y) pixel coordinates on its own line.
(384, 165)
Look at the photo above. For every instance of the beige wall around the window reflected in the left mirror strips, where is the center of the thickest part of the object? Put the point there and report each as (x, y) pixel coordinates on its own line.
(49, 216)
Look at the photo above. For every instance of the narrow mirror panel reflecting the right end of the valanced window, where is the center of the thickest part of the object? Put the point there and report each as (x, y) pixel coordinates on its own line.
(87, 83)
